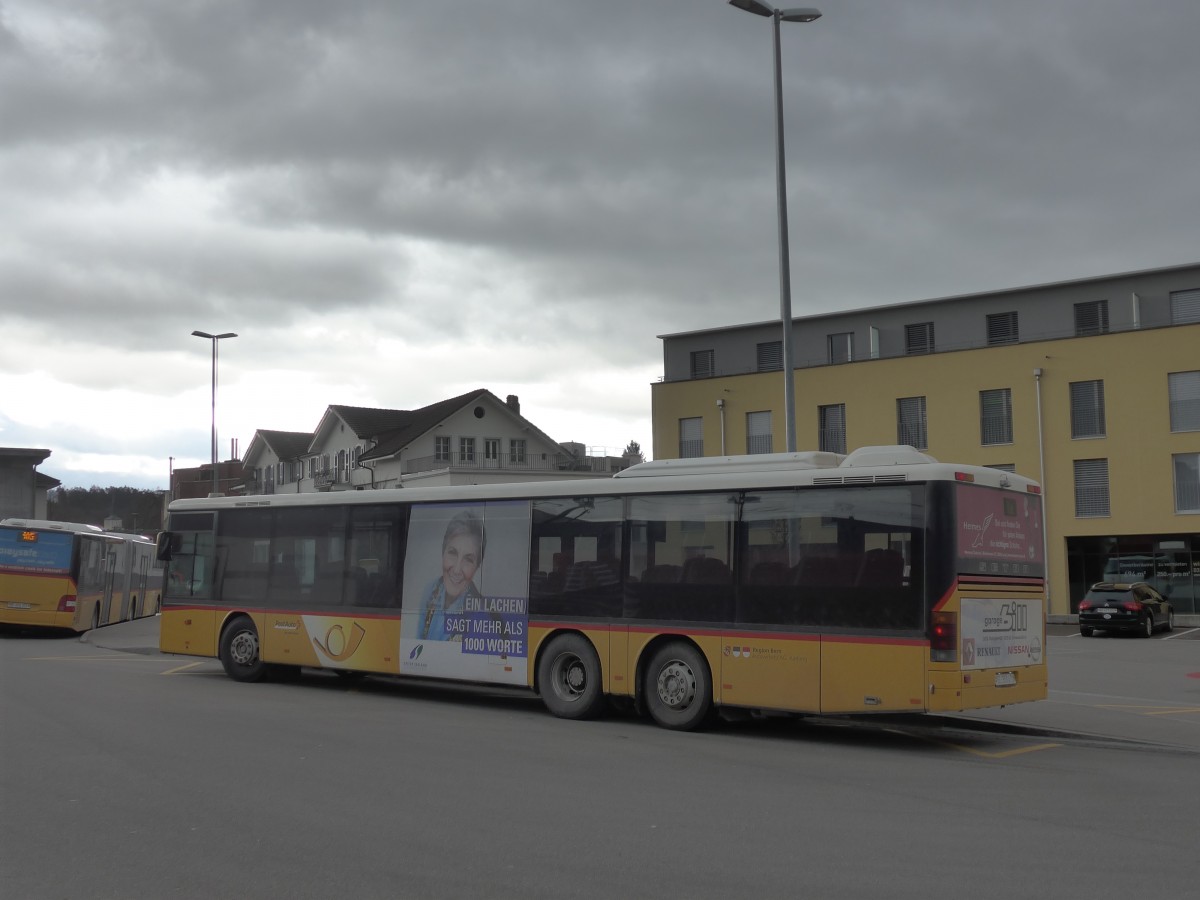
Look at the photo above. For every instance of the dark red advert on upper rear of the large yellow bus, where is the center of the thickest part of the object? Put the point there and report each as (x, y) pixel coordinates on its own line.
(999, 532)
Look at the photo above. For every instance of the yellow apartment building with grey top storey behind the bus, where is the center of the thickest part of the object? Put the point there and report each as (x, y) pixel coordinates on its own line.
(1091, 387)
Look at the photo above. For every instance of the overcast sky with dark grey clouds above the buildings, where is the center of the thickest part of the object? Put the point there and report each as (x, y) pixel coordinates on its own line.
(395, 203)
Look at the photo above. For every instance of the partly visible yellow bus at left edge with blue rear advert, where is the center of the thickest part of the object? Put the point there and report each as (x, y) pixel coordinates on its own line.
(75, 577)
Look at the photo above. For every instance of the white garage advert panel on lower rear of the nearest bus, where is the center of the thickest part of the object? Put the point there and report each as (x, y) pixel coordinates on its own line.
(1001, 633)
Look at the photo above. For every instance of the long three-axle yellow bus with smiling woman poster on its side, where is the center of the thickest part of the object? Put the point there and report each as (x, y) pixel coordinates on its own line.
(808, 583)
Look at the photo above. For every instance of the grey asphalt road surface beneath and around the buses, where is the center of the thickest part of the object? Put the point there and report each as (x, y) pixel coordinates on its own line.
(125, 773)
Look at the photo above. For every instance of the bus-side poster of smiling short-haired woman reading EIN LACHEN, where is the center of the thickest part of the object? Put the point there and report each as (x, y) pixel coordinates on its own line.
(466, 592)
